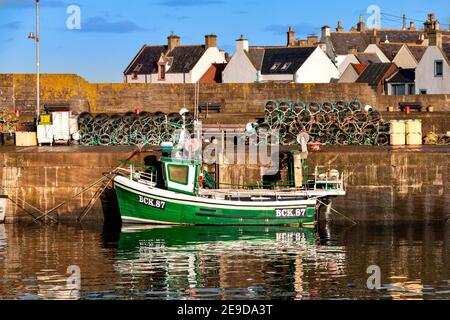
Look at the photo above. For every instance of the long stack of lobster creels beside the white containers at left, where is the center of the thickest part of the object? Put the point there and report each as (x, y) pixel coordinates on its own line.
(148, 129)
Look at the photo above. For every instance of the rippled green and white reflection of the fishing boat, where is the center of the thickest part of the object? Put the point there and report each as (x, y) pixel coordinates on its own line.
(227, 262)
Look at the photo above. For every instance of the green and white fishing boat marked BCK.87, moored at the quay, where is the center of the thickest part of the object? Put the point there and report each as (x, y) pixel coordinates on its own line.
(180, 199)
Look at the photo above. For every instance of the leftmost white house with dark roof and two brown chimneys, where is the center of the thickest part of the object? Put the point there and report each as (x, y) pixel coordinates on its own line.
(174, 63)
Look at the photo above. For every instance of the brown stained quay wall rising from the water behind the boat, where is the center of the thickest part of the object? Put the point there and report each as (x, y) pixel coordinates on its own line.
(383, 184)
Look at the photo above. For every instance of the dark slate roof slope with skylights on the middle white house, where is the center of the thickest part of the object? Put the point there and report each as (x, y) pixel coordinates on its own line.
(285, 60)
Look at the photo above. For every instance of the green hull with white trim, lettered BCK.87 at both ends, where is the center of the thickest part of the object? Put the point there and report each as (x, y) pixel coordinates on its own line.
(141, 204)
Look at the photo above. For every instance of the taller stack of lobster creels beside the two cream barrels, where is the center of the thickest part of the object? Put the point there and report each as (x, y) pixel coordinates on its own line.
(328, 123)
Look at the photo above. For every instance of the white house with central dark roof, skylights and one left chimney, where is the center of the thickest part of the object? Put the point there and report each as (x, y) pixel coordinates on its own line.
(279, 64)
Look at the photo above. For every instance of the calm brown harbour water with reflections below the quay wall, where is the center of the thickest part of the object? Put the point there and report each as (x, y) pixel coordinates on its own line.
(224, 263)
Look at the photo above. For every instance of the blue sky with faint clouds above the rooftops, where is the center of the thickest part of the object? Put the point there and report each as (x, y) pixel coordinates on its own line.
(112, 32)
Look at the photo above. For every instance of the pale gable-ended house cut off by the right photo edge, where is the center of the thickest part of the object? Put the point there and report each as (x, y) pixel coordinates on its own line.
(433, 71)
